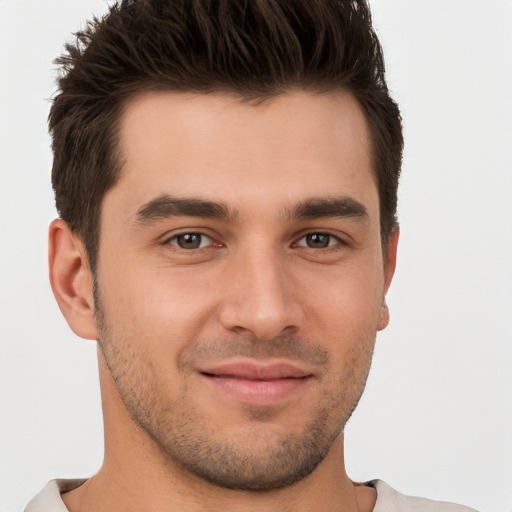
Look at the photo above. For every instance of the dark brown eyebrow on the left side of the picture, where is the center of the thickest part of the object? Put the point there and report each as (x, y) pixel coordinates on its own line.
(166, 206)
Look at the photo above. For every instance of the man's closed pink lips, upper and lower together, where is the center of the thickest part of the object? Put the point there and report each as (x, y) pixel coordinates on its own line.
(258, 383)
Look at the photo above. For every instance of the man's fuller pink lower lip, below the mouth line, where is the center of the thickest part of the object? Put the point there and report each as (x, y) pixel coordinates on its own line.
(259, 392)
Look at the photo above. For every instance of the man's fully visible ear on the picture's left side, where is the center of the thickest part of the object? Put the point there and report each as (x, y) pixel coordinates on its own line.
(71, 279)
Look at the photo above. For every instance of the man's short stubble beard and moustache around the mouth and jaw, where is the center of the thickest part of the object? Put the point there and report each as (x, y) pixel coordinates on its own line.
(264, 459)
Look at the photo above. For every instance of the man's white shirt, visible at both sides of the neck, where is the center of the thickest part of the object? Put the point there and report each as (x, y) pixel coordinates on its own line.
(388, 500)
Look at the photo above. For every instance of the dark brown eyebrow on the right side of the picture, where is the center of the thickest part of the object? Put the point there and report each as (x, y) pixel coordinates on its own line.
(318, 208)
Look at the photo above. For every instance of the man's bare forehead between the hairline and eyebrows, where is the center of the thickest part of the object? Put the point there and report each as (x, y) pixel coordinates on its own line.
(217, 147)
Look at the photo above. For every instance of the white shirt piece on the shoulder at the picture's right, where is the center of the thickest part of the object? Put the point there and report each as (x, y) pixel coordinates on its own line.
(389, 500)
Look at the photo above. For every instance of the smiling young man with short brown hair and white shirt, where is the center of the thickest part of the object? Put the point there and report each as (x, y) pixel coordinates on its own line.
(226, 176)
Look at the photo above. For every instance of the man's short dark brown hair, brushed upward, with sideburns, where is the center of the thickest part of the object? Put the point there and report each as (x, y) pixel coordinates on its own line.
(256, 49)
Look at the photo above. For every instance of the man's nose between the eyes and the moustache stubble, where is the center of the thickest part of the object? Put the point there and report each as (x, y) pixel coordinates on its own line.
(259, 296)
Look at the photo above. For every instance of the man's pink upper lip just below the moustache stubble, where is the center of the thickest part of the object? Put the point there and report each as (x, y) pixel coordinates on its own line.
(257, 371)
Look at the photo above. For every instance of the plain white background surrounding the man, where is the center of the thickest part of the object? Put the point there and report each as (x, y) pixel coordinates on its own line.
(436, 419)
